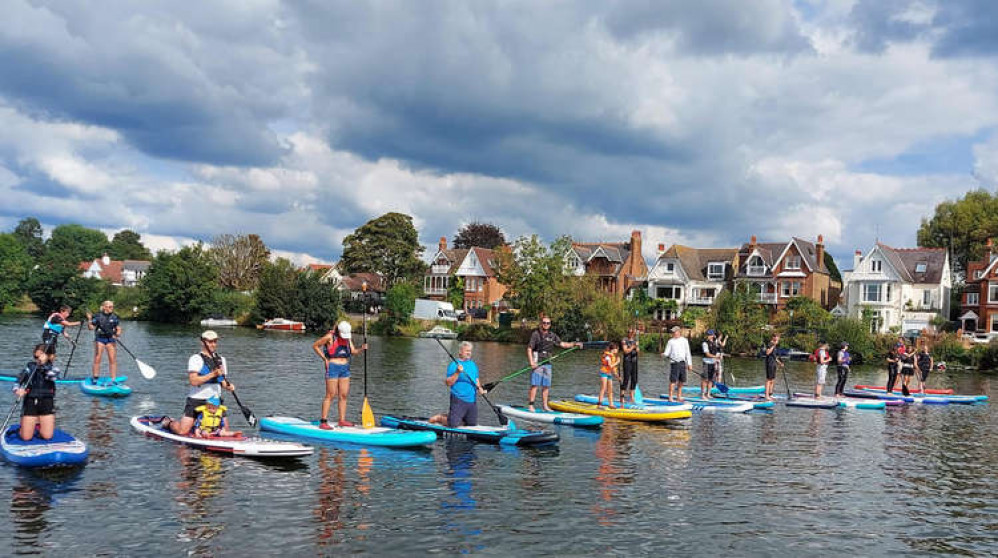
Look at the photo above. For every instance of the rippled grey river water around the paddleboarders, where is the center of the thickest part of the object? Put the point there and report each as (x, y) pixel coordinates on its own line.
(917, 480)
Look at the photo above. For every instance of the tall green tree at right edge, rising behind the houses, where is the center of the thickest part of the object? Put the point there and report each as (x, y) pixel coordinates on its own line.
(963, 226)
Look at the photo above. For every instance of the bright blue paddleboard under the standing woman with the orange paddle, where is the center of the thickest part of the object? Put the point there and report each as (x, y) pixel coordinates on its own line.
(377, 436)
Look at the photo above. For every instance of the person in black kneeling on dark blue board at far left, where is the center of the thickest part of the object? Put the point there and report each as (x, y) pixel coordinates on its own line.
(36, 384)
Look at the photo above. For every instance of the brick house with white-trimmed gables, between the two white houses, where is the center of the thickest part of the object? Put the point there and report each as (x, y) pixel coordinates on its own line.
(779, 271)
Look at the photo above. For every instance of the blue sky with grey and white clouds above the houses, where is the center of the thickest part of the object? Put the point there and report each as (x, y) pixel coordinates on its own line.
(695, 122)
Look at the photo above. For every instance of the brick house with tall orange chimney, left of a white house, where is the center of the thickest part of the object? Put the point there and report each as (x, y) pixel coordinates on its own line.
(618, 266)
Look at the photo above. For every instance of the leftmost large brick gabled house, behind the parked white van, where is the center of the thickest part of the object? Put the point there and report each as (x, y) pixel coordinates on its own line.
(475, 266)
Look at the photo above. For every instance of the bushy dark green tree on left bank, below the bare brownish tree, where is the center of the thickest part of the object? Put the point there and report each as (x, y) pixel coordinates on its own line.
(180, 287)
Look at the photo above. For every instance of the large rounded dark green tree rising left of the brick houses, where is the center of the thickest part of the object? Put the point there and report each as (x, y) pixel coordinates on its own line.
(388, 245)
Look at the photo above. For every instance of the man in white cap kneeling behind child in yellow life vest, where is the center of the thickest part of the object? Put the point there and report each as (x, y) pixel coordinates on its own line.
(206, 373)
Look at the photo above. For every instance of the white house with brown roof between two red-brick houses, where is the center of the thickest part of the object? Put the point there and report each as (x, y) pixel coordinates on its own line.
(690, 276)
